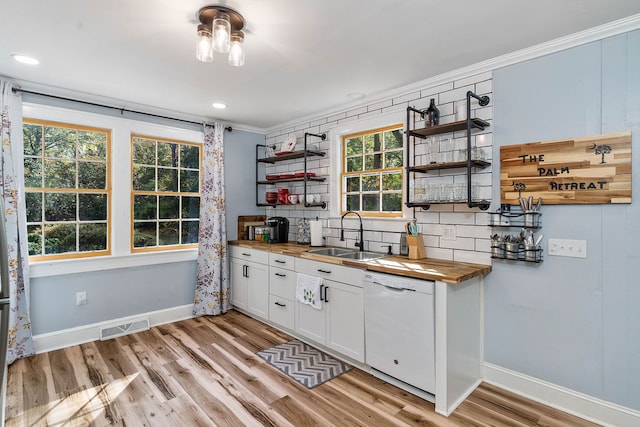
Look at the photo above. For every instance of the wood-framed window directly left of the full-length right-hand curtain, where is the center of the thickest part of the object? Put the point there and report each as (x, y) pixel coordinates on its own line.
(166, 193)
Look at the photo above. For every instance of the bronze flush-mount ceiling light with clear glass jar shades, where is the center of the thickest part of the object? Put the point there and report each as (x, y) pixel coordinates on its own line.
(220, 30)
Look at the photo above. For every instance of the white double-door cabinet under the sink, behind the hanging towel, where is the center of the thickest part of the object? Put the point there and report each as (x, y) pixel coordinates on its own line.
(339, 325)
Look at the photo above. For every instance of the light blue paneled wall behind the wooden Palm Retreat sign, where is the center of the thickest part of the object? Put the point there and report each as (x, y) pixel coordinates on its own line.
(572, 322)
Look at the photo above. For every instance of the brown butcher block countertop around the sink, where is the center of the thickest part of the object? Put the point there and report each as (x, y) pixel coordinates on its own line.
(427, 268)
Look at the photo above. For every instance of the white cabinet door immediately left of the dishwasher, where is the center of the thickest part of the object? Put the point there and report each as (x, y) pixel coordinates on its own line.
(345, 320)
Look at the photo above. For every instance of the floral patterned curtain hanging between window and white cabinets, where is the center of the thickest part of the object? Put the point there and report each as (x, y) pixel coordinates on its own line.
(212, 286)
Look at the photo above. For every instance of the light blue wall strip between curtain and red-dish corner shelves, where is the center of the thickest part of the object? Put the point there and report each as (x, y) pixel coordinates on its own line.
(240, 177)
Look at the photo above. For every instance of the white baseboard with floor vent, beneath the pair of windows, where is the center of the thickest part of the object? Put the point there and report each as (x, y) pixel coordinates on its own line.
(87, 333)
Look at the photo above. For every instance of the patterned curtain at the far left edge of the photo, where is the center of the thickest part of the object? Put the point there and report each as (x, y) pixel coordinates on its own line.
(20, 343)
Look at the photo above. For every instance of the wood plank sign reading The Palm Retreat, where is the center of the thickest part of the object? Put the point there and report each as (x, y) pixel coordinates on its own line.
(592, 169)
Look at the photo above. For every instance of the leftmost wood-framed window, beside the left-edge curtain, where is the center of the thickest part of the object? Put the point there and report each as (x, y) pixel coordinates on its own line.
(66, 172)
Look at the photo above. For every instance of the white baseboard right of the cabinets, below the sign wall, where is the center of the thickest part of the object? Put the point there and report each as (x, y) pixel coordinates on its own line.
(567, 400)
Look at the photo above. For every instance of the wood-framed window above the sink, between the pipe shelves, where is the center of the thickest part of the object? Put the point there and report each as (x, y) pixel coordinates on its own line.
(372, 168)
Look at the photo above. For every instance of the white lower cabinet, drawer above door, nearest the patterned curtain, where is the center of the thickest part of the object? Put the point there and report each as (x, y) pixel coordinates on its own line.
(249, 281)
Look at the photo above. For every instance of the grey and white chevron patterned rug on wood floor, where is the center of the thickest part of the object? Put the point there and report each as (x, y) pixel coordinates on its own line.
(303, 363)
